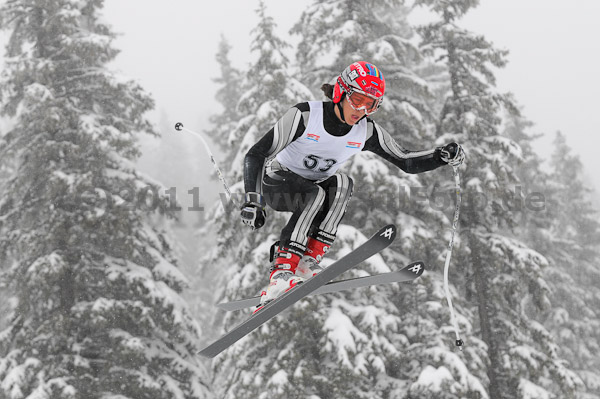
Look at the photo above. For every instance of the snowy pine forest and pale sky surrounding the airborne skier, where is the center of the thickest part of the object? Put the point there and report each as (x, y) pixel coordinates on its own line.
(116, 304)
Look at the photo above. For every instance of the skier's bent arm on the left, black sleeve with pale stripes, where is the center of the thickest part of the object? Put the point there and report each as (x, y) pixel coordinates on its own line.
(287, 129)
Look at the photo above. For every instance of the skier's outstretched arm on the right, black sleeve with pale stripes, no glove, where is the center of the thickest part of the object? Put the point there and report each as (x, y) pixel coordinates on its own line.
(380, 142)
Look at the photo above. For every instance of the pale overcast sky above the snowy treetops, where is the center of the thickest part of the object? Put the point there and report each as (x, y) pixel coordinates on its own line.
(553, 70)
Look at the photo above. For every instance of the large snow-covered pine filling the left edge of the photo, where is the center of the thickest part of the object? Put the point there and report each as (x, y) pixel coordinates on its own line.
(98, 312)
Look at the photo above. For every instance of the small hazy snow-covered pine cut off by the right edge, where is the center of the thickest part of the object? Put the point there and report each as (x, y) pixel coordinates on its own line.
(572, 239)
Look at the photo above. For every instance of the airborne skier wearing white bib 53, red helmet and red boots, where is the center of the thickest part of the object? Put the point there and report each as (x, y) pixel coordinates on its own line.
(294, 168)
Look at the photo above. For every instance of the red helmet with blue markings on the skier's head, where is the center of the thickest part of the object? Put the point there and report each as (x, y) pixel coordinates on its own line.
(366, 81)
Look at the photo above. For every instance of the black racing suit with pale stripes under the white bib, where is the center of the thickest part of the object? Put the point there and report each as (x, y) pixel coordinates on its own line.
(317, 206)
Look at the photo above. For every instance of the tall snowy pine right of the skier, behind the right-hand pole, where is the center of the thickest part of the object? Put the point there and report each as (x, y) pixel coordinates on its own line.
(504, 275)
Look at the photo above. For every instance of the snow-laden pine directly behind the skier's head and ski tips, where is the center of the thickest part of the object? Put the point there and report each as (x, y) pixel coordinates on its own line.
(403, 328)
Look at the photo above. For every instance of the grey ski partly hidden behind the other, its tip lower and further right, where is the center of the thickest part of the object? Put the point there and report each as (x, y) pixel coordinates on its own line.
(407, 273)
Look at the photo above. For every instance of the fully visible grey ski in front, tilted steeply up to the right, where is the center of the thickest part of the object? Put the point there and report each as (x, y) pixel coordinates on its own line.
(379, 241)
